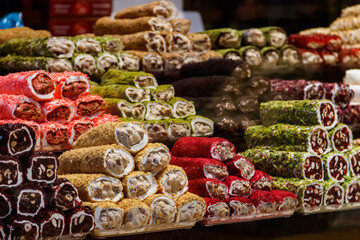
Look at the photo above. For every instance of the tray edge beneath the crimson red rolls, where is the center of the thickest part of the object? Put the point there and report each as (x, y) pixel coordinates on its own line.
(252, 217)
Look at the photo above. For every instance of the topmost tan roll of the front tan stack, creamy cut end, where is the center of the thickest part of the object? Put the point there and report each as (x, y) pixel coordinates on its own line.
(131, 135)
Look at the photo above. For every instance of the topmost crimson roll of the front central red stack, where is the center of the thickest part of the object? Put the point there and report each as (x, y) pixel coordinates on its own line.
(217, 148)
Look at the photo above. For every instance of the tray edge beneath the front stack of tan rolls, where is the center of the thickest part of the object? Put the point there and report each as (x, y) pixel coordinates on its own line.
(149, 229)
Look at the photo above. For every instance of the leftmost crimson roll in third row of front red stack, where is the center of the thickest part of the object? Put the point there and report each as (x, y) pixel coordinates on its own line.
(209, 187)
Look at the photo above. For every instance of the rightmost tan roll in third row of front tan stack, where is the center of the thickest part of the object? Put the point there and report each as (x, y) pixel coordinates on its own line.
(173, 181)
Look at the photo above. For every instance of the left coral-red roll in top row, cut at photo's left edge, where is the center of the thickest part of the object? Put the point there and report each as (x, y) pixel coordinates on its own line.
(37, 85)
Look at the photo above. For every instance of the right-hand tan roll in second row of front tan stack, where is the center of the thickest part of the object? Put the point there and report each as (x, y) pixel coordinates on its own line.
(153, 158)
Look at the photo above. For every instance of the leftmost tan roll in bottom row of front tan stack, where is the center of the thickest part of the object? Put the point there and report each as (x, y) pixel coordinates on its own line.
(107, 215)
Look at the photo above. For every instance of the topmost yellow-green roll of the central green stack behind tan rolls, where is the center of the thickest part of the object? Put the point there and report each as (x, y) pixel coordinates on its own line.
(122, 77)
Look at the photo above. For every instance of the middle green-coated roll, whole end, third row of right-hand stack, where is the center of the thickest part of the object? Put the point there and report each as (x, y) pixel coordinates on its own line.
(336, 166)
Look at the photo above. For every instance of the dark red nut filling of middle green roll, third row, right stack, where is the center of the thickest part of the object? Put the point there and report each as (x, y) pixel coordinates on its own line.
(338, 167)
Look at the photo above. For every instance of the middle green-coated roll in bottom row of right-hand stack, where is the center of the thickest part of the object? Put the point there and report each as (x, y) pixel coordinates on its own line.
(333, 194)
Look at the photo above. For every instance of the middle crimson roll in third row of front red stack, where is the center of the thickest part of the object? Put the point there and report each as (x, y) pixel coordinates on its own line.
(238, 187)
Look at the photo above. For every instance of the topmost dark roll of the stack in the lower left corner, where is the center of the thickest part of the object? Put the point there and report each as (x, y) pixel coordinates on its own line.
(16, 140)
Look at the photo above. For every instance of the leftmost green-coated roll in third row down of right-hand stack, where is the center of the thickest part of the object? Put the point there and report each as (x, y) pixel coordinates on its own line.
(287, 164)
